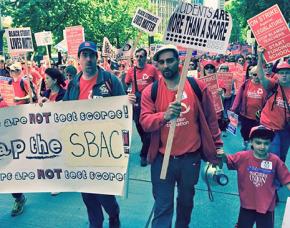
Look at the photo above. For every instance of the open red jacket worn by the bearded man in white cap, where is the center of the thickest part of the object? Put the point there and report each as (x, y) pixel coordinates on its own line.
(210, 133)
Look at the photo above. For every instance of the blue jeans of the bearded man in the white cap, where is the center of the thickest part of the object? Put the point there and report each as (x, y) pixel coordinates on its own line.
(185, 172)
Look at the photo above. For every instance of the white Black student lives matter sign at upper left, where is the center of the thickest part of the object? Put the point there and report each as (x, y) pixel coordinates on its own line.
(19, 40)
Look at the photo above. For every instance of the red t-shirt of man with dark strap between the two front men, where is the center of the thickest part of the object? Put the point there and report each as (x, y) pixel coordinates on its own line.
(144, 77)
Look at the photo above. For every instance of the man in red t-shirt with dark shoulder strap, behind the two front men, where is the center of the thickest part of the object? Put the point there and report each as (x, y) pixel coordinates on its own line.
(140, 76)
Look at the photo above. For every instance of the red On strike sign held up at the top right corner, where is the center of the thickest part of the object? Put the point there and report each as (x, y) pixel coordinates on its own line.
(272, 33)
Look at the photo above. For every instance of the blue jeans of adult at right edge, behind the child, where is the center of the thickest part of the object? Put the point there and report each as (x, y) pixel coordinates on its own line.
(281, 142)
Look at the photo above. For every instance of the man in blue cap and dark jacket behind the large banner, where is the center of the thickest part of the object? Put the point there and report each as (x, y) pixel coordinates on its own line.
(95, 82)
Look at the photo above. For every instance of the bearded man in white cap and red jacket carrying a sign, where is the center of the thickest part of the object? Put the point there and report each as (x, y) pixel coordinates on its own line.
(196, 128)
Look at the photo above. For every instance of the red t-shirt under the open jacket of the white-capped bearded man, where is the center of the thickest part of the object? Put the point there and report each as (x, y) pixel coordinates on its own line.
(186, 135)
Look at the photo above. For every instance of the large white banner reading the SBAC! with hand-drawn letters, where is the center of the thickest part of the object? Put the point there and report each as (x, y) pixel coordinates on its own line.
(80, 146)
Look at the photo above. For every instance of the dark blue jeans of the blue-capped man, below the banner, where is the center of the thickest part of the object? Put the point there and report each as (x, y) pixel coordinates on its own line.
(94, 203)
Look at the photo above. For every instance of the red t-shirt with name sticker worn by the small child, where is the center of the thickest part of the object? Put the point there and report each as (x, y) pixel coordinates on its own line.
(256, 179)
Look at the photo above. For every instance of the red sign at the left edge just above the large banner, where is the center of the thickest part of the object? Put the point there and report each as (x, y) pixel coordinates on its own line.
(7, 90)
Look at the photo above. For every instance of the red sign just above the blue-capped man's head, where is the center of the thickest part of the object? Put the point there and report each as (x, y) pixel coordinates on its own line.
(74, 37)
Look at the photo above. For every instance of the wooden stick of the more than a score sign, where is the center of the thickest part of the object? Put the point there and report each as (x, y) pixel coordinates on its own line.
(173, 122)
